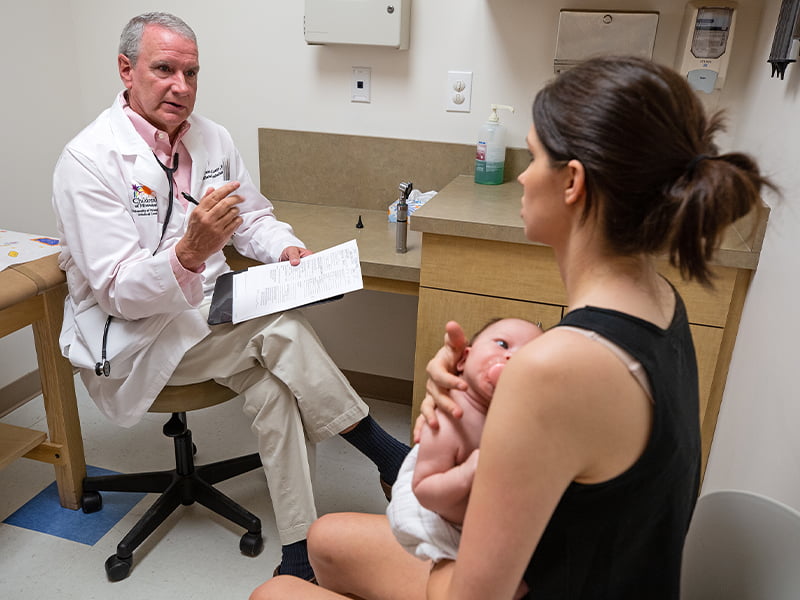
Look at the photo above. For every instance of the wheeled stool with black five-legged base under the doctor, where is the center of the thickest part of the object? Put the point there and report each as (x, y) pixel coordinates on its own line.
(185, 484)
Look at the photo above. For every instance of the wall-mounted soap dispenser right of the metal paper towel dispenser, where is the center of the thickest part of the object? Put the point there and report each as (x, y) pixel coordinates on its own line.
(705, 43)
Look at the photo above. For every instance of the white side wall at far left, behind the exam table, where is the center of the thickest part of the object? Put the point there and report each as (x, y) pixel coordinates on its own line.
(38, 109)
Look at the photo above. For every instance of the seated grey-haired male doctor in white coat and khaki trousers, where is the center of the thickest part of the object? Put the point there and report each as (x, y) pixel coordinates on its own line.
(146, 197)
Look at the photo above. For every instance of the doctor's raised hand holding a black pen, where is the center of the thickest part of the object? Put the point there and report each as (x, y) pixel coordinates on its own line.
(211, 224)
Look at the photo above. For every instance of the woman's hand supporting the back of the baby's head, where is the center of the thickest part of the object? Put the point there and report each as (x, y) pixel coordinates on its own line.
(442, 378)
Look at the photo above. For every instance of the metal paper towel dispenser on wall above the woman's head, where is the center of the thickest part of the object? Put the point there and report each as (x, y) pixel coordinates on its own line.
(586, 34)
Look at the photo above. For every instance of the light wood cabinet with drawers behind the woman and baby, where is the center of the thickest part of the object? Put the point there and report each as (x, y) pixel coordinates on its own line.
(472, 280)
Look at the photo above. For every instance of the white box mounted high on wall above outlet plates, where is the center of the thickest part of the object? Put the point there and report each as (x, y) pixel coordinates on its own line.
(362, 22)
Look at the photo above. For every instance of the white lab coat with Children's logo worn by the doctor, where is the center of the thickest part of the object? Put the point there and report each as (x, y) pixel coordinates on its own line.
(110, 197)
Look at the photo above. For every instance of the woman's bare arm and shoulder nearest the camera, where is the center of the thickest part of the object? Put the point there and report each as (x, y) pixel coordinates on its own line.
(561, 413)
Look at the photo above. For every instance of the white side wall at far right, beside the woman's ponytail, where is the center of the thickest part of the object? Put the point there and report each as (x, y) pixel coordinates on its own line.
(757, 446)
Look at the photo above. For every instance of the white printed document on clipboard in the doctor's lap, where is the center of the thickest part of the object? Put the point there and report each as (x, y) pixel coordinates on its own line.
(276, 287)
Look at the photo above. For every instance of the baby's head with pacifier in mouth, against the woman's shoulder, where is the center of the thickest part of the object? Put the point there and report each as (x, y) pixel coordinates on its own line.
(489, 351)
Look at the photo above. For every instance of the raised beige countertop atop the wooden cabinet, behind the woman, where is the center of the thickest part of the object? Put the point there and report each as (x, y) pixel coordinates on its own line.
(491, 212)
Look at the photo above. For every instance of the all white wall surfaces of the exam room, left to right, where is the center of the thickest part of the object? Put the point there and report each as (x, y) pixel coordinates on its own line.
(258, 72)
